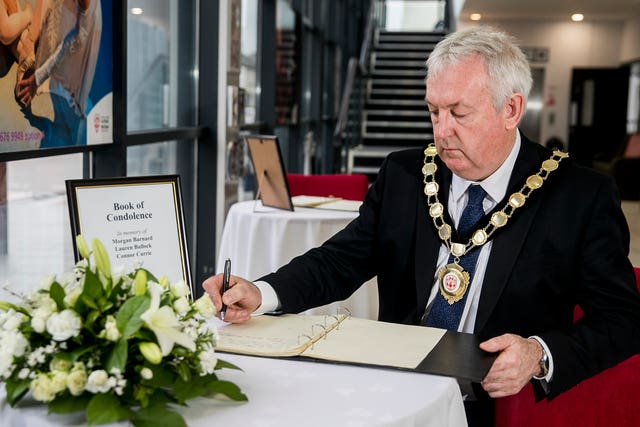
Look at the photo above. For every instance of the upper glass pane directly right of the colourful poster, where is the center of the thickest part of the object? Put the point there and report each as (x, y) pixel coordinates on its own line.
(161, 64)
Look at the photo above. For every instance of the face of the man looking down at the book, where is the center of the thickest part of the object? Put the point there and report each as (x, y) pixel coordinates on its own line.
(472, 138)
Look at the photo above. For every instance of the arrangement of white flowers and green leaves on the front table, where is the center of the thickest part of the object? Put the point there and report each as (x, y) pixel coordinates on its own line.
(121, 346)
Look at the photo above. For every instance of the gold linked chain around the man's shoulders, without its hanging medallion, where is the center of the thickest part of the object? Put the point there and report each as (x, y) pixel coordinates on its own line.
(498, 219)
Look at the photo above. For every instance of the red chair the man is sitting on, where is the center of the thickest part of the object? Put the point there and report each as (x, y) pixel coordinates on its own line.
(611, 398)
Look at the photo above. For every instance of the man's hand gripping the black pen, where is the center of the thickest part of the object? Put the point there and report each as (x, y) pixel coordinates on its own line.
(242, 298)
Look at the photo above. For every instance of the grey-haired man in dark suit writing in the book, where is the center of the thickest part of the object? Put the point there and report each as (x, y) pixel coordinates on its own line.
(552, 235)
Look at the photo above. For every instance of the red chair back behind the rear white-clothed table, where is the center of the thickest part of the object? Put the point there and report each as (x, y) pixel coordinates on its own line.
(346, 186)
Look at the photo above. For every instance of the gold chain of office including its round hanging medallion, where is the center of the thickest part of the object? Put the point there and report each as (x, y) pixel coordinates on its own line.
(453, 280)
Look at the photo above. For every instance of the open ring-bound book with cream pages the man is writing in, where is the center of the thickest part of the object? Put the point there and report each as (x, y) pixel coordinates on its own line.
(352, 340)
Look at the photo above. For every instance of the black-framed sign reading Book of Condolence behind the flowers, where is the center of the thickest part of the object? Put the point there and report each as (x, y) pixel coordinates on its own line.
(139, 220)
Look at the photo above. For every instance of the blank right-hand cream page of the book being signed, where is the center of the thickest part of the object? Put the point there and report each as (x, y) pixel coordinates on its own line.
(371, 342)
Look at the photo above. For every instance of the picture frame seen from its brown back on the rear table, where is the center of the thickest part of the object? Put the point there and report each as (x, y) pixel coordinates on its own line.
(271, 178)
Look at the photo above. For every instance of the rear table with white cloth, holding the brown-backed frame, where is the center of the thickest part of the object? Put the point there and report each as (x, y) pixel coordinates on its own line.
(259, 240)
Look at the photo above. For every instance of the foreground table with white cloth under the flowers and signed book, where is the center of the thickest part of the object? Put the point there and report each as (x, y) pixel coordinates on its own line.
(288, 393)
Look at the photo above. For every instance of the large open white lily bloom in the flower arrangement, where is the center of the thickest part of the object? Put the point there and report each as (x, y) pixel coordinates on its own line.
(164, 323)
